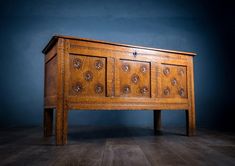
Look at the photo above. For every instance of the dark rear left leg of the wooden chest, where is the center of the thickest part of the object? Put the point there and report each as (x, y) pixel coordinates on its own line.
(48, 122)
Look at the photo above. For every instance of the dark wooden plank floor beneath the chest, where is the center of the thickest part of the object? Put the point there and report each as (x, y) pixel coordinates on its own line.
(121, 146)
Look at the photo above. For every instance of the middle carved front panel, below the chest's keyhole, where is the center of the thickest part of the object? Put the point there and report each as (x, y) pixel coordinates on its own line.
(134, 78)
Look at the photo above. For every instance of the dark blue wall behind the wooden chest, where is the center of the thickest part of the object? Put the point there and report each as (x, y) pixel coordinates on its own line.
(206, 28)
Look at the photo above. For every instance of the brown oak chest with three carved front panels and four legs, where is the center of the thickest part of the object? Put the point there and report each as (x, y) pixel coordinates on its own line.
(84, 74)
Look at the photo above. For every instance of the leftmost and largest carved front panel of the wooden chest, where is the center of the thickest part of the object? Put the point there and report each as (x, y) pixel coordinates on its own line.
(87, 76)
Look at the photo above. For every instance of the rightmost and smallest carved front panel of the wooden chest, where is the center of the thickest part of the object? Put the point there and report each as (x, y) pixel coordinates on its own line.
(173, 81)
